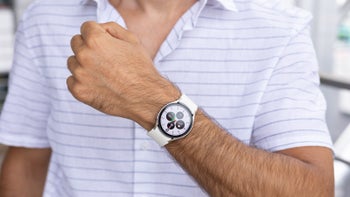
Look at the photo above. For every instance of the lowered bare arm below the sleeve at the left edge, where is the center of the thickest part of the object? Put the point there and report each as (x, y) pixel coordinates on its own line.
(24, 172)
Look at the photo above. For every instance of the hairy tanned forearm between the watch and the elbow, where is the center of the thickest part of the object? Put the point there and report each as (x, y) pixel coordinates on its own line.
(223, 166)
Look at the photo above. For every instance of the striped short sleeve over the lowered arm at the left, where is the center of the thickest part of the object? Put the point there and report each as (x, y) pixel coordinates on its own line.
(24, 115)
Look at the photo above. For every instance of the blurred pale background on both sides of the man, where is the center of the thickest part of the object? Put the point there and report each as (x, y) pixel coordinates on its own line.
(331, 35)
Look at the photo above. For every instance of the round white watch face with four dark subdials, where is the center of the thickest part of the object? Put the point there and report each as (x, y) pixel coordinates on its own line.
(175, 120)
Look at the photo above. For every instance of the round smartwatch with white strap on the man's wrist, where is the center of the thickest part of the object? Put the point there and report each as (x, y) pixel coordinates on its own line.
(174, 121)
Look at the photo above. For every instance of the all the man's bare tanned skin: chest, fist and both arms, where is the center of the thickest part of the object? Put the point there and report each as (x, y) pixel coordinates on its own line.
(112, 71)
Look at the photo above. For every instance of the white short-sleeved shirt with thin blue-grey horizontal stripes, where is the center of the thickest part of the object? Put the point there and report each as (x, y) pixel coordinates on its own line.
(249, 64)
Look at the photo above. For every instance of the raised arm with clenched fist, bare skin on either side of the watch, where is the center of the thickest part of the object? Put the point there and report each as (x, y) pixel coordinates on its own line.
(112, 73)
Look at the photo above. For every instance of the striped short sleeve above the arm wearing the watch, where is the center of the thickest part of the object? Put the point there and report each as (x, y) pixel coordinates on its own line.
(292, 109)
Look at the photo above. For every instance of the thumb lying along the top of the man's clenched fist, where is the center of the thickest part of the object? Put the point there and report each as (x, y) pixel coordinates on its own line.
(119, 32)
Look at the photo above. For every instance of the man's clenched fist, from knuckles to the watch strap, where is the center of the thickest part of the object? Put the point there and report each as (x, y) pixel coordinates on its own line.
(112, 72)
